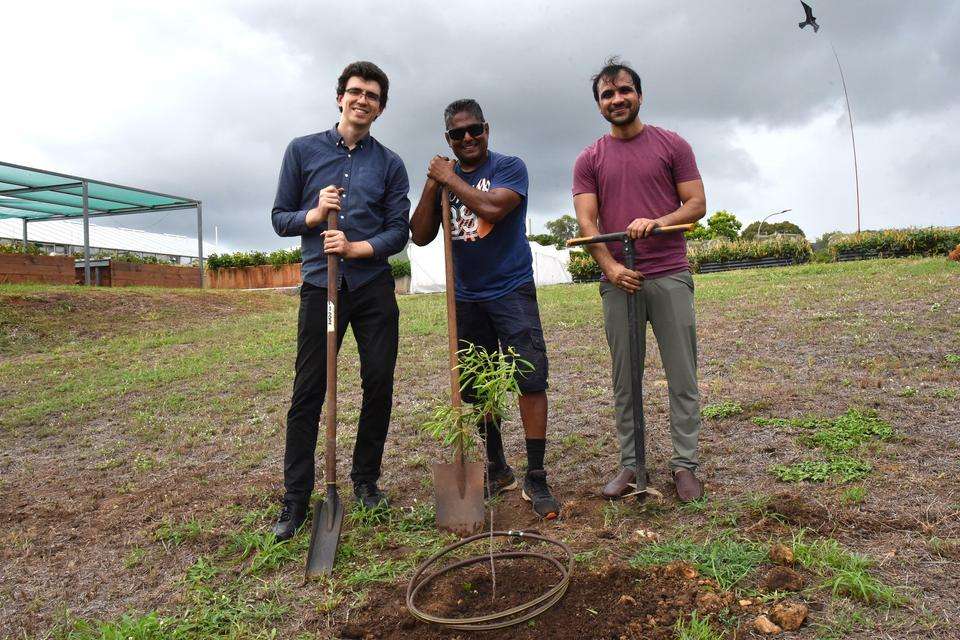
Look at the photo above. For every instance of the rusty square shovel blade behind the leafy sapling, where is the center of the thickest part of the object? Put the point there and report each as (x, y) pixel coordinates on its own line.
(458, 489)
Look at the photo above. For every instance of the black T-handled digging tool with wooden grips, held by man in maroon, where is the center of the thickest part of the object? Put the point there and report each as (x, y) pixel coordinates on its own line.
(636, 375)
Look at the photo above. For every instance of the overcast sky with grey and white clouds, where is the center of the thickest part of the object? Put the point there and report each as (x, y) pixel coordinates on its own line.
(200, 98)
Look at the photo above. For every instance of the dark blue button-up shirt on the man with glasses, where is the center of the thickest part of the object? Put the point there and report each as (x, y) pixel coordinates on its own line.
(374, 207)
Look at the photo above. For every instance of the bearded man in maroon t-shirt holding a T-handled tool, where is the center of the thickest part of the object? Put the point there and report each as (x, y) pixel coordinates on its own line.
(637, 178)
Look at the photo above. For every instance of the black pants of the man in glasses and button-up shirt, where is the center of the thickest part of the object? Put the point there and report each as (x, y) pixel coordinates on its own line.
(372, 312)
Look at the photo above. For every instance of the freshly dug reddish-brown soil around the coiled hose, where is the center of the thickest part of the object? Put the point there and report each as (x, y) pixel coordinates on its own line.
(611, 603)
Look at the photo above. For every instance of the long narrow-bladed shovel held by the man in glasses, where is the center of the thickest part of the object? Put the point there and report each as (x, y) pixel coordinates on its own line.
(328, 512)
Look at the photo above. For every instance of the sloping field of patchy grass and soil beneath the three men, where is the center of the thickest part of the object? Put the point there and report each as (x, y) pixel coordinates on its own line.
(141, 437)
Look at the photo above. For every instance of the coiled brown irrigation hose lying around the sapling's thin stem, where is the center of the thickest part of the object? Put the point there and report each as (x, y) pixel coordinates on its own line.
(498, 620)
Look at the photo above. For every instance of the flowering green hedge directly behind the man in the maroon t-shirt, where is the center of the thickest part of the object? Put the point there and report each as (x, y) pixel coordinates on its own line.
(583, 267)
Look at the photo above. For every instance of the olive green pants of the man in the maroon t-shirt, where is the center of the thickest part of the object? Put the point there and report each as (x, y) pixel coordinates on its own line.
(667, 304)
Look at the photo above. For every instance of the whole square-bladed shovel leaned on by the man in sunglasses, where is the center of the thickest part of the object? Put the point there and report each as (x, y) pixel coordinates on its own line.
(458, 486)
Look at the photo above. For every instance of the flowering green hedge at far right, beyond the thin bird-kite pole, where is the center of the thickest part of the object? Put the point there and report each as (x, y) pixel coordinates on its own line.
(931, 241)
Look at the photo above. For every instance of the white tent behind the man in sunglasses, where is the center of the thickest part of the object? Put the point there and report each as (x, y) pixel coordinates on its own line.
(427, 272)
